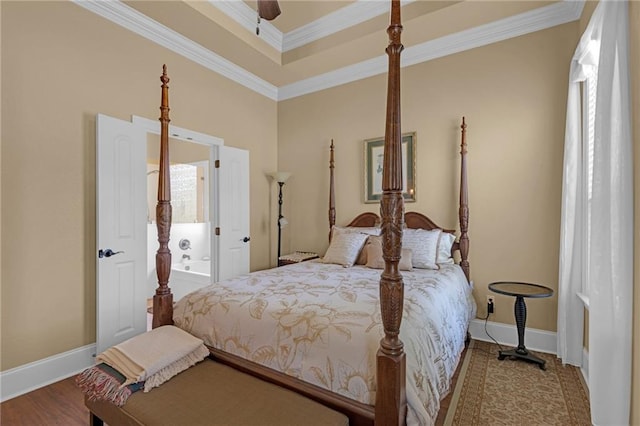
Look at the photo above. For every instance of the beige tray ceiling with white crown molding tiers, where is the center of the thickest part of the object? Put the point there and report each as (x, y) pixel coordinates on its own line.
(316, 44)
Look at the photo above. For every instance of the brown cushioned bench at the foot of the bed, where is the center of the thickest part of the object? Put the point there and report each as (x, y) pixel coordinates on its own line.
(211, 393)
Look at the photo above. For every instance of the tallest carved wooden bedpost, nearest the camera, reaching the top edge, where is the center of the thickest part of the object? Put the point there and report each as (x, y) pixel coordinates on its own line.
(391, 404)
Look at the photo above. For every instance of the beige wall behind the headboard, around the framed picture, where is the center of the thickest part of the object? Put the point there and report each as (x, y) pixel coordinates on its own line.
(513, 94)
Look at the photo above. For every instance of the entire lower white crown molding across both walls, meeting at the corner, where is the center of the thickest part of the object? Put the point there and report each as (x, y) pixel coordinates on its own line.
(514, 26)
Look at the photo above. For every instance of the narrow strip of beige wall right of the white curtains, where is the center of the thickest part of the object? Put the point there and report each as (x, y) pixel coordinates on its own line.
(634, 19)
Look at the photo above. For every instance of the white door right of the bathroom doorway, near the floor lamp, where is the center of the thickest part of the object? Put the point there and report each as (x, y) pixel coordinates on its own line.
(233, 190)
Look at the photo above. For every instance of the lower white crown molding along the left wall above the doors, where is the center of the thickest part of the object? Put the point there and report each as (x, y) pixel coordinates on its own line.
(129, 18)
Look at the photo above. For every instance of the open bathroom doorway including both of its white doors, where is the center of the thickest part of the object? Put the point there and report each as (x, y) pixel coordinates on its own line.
(220, 201)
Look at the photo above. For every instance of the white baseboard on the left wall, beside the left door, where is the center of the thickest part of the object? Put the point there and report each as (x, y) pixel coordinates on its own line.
(26, 378)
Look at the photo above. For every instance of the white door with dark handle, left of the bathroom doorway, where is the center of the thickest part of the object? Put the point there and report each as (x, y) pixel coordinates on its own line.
(120, 215)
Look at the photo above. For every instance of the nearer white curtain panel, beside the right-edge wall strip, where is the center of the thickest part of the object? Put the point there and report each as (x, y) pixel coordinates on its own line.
(611, 257)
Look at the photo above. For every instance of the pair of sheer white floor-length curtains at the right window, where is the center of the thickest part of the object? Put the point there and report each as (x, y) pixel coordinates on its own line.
(609, 264)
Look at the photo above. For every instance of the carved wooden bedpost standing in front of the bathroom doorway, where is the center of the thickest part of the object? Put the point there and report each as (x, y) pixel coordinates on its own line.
(163, 299)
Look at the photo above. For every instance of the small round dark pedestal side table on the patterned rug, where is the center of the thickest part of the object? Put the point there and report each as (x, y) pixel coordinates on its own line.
(520, 291)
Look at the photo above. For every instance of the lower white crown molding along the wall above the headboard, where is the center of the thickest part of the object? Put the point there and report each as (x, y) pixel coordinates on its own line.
(503, 29)
